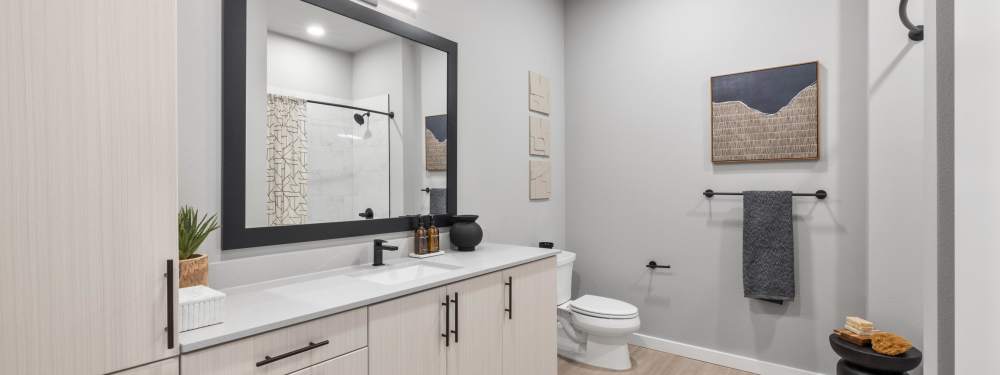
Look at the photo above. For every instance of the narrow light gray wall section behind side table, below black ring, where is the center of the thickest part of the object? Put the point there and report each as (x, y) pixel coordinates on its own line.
(901, 172)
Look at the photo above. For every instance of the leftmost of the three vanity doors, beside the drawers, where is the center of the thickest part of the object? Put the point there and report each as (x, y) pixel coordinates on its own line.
(404, 335)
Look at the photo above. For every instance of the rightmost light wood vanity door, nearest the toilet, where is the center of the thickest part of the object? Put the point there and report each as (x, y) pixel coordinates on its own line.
(529, 326)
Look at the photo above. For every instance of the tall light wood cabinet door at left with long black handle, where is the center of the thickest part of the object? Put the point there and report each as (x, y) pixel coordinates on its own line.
(89, 159)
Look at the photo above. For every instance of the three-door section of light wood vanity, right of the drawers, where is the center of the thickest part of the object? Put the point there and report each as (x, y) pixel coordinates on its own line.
(483, 338)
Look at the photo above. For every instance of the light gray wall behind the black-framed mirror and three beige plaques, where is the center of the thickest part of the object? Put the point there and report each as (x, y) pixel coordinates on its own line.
(494, 60)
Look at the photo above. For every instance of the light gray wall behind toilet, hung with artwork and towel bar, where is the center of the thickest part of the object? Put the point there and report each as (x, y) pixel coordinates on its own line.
(638, 159)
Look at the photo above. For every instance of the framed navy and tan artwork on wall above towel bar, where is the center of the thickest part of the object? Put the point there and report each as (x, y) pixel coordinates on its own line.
(766, 115)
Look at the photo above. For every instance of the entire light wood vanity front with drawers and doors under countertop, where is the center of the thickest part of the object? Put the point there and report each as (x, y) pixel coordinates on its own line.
(502, 323)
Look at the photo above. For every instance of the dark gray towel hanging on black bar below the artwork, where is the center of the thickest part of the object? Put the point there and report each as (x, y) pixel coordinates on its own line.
(768, 249)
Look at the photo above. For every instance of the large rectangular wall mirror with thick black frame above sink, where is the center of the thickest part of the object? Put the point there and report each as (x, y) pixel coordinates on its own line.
(338, 120)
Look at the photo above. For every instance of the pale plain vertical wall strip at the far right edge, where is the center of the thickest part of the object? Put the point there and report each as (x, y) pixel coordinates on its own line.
(977, 206)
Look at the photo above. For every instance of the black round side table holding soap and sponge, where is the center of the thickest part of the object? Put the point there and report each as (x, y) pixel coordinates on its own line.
(862, 360)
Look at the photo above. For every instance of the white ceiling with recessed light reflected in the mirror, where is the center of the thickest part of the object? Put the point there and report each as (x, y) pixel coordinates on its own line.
(292, 17)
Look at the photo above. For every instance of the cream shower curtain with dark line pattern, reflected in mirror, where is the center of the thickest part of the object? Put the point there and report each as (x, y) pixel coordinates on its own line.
(287, 173)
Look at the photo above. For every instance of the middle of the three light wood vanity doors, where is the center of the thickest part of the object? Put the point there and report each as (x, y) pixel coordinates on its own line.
(476, 318)
